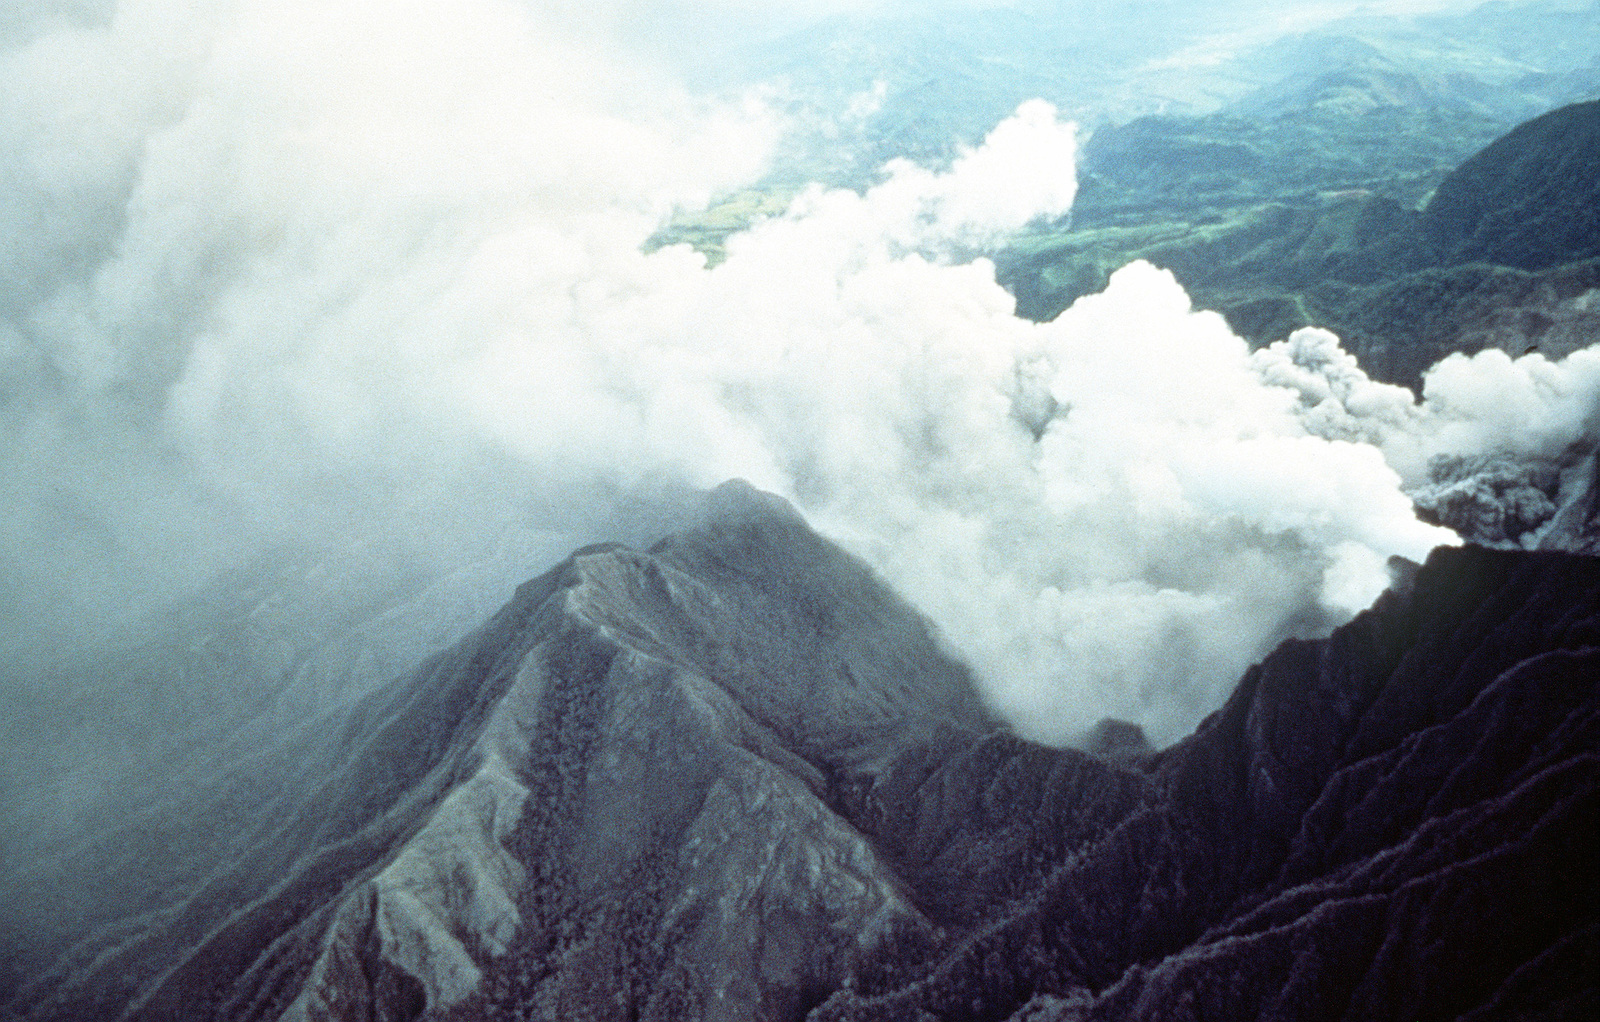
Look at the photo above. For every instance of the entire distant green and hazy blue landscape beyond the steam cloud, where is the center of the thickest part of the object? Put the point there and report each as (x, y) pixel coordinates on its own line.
(1287, 180)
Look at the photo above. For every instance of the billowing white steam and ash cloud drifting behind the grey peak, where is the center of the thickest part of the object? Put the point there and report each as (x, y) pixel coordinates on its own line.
(314, 263)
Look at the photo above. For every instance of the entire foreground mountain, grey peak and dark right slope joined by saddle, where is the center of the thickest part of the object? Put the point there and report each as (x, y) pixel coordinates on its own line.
(735, 778)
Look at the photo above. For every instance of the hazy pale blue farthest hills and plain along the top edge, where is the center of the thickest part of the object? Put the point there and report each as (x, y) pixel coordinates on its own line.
(942, 82)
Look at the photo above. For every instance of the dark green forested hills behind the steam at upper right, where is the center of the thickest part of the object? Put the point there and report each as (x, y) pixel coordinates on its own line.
(1503, 255)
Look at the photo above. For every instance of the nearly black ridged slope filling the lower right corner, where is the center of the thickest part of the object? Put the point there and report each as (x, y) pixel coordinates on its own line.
(1398, 823)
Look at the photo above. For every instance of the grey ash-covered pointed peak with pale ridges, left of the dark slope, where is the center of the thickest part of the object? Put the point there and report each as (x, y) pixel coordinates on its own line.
(612, 799)
